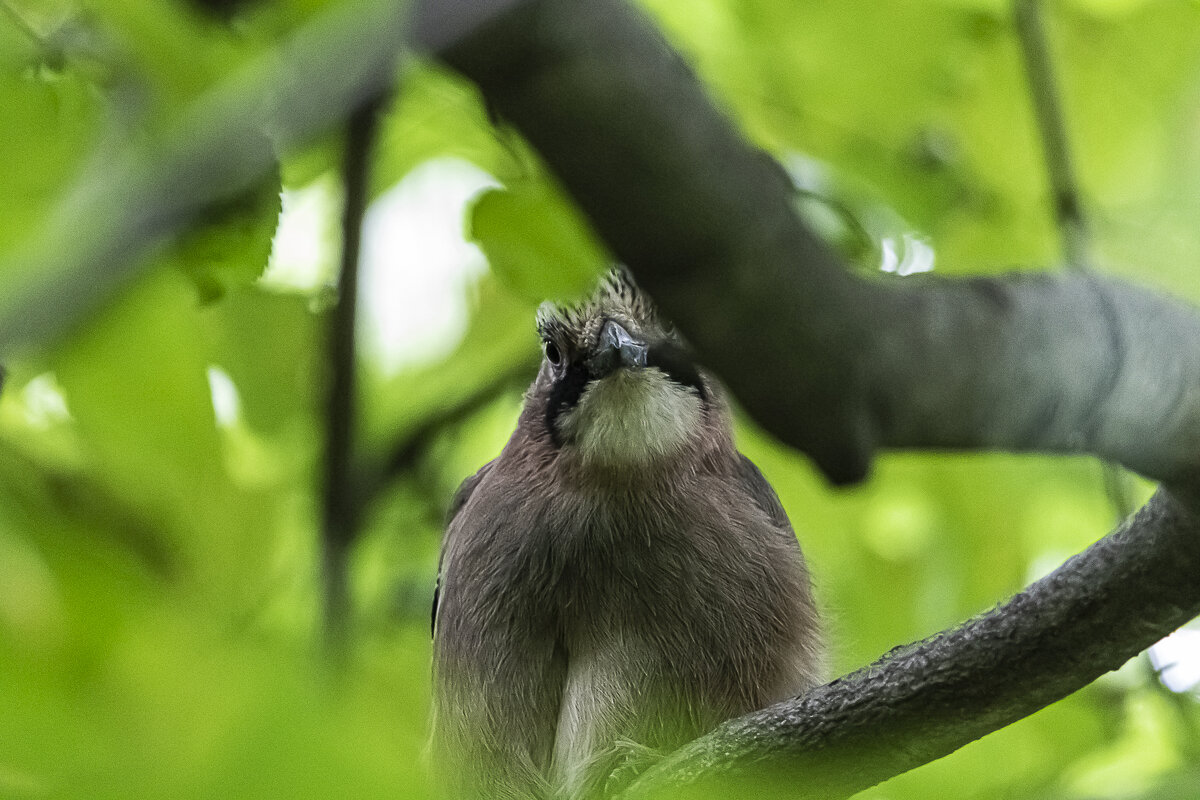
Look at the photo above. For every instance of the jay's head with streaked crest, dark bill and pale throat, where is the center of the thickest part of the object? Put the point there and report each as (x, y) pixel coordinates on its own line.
(617, 387)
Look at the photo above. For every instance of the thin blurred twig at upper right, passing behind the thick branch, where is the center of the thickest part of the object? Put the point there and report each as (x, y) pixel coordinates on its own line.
(1073, 230)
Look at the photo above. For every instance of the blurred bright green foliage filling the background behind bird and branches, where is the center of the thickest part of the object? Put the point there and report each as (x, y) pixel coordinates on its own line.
(159, 601)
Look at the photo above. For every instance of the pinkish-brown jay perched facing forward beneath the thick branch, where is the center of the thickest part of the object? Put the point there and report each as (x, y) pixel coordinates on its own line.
(620, 580)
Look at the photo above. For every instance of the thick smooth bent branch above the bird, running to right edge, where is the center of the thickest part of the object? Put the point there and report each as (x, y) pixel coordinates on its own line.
(1069, 364)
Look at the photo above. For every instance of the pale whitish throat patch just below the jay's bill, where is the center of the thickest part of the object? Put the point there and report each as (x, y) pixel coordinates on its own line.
(633, 418)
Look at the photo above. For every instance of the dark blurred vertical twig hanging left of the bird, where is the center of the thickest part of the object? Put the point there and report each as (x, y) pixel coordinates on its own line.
(341, 510)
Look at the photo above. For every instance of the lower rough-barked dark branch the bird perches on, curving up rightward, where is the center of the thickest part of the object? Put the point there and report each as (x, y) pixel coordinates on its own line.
(925, 701)
